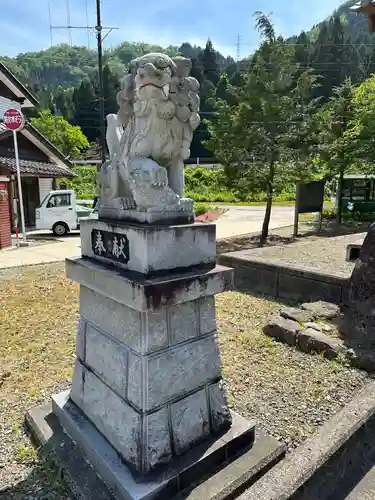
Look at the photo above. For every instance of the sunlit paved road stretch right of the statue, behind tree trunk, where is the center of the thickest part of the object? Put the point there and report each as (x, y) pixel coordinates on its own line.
(243, 220)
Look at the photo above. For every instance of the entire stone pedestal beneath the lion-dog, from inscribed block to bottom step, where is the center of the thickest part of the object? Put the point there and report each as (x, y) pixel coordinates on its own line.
(147, 378)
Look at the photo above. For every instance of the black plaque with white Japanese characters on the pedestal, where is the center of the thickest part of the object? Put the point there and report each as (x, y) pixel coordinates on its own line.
(111, 246)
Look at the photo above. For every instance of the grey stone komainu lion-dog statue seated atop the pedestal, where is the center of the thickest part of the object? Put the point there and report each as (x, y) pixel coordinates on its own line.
(148, 141)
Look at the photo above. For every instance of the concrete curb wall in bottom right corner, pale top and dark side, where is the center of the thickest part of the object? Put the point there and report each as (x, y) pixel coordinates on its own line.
(330, 464)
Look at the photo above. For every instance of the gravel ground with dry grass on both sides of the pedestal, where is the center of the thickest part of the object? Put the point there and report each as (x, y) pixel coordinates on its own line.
(289, 393)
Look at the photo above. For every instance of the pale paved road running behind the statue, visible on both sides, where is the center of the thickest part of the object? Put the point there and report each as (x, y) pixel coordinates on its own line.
(236, 221)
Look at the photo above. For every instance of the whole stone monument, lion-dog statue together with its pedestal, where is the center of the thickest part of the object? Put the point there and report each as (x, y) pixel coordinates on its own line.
(147, 407)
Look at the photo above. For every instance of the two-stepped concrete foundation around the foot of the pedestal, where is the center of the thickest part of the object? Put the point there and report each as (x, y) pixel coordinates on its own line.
(227, 472)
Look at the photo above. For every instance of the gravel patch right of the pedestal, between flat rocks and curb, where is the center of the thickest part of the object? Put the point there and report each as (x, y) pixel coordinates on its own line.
(288, 392)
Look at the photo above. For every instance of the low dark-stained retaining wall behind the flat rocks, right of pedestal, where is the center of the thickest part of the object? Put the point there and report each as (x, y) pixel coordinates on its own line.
(280, 279)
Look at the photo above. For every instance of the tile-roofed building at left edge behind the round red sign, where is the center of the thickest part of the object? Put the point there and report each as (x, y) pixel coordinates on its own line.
(40, 161)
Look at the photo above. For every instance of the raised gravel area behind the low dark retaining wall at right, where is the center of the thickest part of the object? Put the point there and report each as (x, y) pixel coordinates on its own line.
(325, 253)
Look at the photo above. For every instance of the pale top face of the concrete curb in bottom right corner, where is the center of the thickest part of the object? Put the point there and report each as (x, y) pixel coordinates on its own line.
(286, 478)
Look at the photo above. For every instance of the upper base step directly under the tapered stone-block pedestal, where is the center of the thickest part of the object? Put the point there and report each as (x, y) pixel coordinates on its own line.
(124, 482)
